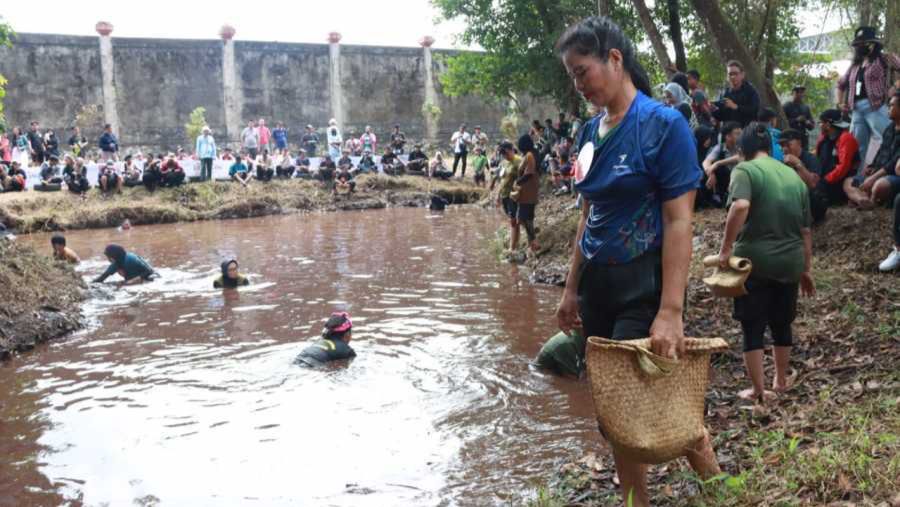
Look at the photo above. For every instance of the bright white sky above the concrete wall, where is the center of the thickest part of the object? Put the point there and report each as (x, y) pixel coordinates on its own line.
(372, 22)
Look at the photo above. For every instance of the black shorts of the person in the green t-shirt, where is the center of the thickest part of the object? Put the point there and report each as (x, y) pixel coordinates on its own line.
(767, 304)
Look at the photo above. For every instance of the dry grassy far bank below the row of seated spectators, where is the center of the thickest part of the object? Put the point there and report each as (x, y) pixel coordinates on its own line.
(37, 211)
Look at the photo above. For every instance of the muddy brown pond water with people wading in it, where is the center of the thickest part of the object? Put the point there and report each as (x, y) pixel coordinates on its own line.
(184, 395)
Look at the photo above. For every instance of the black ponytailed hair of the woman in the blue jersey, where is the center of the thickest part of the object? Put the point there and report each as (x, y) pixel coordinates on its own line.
(597, 35)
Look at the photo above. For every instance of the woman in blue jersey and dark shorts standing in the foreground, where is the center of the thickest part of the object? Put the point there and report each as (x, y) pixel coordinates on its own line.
(637, 170)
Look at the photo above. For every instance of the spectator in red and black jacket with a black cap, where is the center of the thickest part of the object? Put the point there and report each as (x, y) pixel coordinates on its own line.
(838, 154)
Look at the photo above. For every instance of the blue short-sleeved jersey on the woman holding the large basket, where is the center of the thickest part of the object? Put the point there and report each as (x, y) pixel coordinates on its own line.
(649, 158)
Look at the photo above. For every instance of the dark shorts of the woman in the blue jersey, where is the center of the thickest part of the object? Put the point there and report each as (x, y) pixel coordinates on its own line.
(620, 301)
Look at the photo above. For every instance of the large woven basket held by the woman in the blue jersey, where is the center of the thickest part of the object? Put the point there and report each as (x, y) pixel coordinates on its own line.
(648, 407)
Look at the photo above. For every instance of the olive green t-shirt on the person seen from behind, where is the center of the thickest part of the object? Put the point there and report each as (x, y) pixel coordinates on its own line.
(772, 237)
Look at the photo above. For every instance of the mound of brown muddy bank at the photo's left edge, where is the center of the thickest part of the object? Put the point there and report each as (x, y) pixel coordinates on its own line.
(41, 298)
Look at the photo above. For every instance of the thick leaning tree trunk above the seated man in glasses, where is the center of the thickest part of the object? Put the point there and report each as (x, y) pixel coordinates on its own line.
(731, 48)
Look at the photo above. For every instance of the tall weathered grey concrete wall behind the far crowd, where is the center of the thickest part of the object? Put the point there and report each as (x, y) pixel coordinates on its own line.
(158, 82)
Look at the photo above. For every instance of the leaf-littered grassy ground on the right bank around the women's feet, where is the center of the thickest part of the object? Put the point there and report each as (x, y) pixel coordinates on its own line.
(834, 439)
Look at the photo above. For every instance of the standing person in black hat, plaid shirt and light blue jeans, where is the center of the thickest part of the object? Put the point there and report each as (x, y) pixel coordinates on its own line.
(863, 89)
